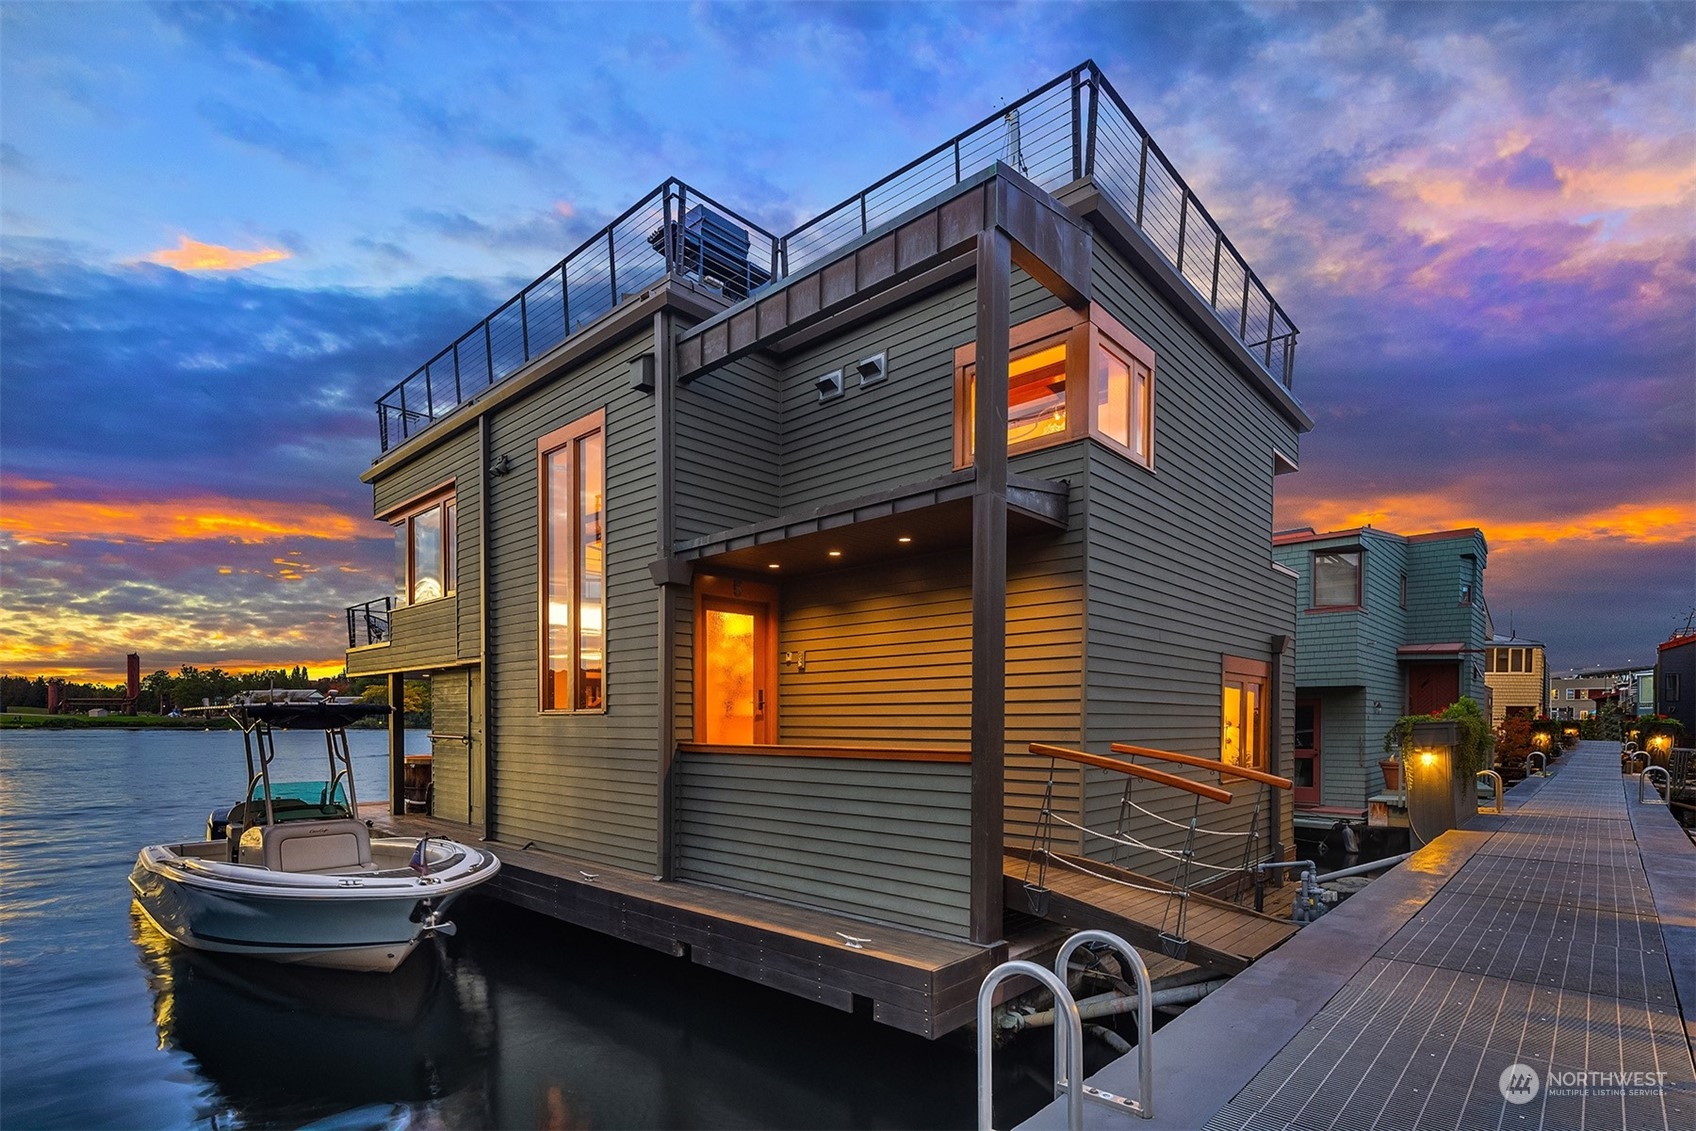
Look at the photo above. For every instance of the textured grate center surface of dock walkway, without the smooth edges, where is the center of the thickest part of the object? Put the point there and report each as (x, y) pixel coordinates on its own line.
(1544, 950)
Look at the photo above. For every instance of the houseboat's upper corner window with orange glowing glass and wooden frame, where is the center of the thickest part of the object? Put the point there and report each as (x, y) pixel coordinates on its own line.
(1068, 377)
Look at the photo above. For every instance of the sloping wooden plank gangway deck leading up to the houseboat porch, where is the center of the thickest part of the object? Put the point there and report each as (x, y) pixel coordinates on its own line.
(1224, 937)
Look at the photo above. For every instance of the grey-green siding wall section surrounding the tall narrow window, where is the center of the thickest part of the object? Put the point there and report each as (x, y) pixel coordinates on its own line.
(583, 784)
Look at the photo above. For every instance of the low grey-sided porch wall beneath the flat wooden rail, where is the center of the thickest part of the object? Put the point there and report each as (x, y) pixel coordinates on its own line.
(874, 840)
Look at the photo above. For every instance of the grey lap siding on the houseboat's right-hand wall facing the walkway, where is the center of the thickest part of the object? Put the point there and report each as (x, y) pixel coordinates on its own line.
(1181, 576)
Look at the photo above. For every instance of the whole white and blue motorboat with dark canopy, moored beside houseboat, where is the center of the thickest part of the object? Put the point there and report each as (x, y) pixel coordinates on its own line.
(291, 872)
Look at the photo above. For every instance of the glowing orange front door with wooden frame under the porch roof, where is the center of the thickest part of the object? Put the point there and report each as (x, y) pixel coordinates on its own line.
(735, 662)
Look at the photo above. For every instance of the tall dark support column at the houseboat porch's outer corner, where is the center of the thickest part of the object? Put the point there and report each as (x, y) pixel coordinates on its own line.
(990, 584)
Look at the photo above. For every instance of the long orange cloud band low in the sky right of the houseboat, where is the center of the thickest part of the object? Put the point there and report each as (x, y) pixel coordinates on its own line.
(1641, 523)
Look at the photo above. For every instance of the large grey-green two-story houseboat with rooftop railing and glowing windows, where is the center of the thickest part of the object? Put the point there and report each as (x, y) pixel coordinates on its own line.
(750, 565)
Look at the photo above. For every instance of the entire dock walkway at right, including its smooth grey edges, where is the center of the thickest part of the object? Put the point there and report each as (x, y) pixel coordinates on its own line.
(1532, 971)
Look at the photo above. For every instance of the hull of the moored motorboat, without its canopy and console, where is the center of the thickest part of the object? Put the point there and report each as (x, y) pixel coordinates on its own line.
(357, 922)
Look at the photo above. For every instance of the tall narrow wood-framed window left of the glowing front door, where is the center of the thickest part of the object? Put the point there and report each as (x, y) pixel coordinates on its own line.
(574, 565)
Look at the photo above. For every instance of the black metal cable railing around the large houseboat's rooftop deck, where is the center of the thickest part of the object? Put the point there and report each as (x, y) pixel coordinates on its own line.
(1071, 128)
